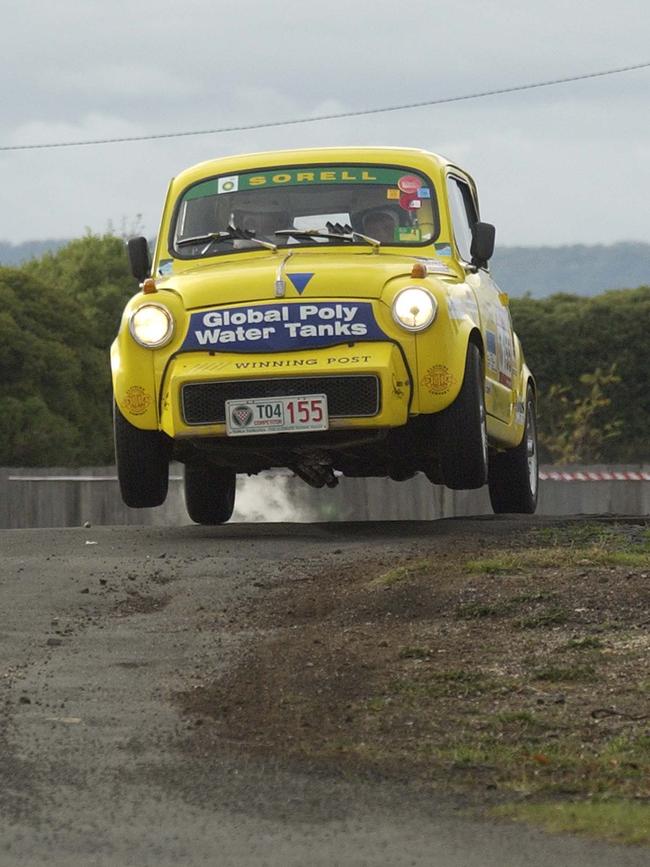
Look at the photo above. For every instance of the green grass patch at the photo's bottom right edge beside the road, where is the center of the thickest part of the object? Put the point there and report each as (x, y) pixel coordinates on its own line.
(617, 821)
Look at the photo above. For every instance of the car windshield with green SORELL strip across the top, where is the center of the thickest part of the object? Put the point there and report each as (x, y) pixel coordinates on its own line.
(323, 204)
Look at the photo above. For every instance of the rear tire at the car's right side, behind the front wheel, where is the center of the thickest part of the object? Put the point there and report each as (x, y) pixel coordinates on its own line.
(513, 474)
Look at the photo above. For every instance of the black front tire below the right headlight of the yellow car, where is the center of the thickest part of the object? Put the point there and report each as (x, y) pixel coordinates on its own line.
(463, 433)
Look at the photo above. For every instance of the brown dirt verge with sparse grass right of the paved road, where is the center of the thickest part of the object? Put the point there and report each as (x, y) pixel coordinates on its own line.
(517, 668)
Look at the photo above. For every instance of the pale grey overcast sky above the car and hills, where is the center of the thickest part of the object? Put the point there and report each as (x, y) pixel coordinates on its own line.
(558, 165)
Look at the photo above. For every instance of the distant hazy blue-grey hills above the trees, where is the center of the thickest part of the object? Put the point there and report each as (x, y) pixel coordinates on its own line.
(578, 269)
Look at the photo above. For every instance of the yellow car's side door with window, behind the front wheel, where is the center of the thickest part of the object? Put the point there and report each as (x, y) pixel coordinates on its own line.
(496, 325)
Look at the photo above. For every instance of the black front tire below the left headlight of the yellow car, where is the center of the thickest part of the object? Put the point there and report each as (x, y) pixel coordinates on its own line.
(142, 460)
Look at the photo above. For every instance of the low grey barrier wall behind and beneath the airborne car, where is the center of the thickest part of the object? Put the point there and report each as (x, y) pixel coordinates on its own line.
(60, 497)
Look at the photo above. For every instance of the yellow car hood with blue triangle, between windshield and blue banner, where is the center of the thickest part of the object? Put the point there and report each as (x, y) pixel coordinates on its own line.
(358, 274)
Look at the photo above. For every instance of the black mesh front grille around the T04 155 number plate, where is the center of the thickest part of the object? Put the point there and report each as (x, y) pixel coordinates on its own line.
(204, 402)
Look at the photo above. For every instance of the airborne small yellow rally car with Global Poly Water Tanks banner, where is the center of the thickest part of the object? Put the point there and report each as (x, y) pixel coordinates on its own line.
(329, 311)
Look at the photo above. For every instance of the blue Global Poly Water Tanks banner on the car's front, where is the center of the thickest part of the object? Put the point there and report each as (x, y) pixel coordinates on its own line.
(278, 327)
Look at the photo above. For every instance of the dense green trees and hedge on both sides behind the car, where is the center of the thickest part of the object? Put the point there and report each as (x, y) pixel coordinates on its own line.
(60, 313)
